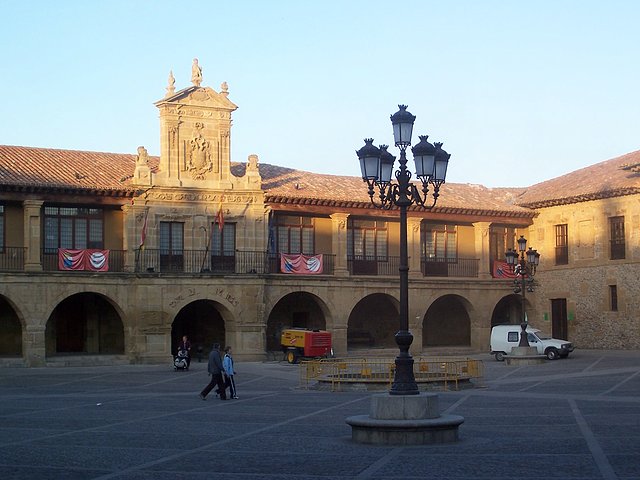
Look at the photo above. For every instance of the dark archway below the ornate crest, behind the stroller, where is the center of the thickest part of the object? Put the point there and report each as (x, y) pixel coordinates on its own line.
(203, 323)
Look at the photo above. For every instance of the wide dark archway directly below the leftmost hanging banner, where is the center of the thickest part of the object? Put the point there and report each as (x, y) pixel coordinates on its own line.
(85, 323)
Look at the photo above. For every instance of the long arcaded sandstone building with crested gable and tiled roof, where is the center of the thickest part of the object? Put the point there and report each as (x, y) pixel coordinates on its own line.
(110, 258)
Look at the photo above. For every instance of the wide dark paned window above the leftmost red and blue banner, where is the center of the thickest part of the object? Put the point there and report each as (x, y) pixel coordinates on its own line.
(73, 227)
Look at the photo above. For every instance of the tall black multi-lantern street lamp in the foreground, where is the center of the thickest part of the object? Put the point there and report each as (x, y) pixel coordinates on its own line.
(376, 165)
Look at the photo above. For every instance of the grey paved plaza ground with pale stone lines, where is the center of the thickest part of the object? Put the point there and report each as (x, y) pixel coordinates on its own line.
(577, 418)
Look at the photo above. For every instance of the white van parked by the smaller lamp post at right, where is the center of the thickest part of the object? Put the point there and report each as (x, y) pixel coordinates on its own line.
(505, 337)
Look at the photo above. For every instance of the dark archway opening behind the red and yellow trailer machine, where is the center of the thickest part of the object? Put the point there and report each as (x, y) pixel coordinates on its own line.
(295, 310)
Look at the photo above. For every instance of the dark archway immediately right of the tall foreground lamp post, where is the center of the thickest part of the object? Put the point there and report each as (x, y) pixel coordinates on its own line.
(447, 323)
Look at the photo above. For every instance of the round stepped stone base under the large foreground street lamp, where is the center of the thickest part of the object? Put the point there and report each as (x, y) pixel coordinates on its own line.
(404, 420)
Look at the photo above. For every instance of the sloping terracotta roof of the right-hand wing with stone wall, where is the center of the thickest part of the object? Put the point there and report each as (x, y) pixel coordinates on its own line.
(614, 177)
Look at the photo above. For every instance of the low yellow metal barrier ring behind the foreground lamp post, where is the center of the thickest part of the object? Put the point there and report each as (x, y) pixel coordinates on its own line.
(367, 373)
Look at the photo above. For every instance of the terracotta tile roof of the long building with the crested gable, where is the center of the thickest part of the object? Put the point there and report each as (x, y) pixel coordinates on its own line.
(80, 170)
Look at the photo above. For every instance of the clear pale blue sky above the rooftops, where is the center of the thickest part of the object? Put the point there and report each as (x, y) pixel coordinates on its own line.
(518, 91)
